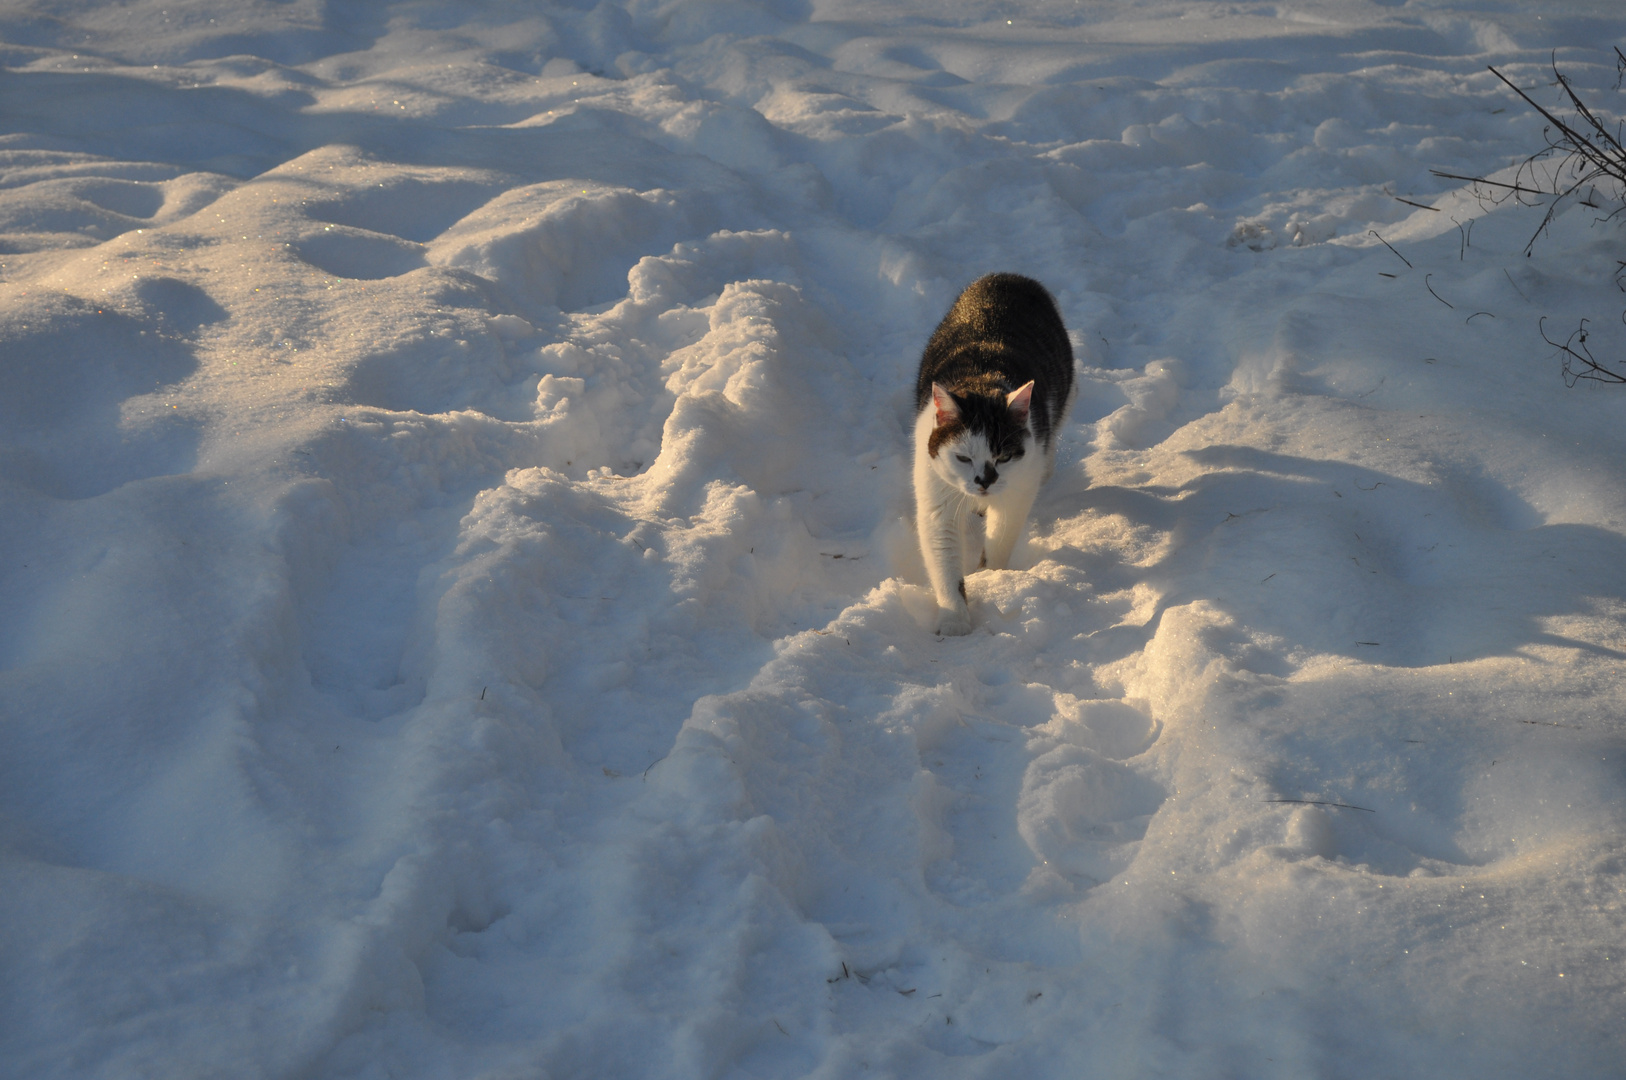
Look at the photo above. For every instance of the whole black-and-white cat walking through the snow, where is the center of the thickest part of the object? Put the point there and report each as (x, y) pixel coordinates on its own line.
(994, 388)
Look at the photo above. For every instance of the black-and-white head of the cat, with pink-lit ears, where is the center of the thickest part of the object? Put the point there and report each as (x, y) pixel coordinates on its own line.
(978, 438)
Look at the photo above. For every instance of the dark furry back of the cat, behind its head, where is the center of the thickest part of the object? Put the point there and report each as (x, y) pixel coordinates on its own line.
(1002, 326)
